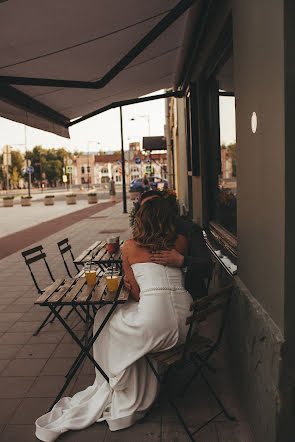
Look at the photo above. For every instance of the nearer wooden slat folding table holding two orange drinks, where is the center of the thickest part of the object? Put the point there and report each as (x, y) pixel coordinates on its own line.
(76, 293)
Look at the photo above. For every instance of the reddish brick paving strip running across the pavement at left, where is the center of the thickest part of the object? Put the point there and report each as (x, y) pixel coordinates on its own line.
(24, 238)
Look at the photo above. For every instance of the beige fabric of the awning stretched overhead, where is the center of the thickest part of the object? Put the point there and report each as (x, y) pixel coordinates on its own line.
(81, 41)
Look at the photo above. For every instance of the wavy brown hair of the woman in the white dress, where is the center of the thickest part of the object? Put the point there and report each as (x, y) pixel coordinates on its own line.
(155, 228)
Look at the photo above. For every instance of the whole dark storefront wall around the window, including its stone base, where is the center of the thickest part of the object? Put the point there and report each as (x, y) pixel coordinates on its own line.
(257, 317)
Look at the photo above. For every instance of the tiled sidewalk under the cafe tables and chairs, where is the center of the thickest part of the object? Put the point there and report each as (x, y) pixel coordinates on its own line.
(32, 369)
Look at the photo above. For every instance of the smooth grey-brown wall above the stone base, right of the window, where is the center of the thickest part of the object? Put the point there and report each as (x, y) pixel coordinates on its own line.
(259, 87)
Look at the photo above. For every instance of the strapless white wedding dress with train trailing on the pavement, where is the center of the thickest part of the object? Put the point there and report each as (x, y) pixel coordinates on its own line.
(155, 323)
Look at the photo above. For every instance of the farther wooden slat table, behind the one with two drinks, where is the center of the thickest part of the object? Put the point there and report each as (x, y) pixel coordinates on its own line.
(98, 253)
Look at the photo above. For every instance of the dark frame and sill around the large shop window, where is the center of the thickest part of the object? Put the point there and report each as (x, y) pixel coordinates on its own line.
(217, 235)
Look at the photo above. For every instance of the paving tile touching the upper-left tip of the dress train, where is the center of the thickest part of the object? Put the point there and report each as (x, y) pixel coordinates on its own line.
(29, 410)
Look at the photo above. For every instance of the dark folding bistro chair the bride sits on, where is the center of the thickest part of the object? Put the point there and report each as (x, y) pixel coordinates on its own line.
(196, 350)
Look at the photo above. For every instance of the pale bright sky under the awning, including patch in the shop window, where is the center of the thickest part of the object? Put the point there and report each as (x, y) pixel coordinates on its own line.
(102, 132)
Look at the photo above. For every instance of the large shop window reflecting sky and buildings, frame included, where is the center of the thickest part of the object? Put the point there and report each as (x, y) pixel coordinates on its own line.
(217, 138)
